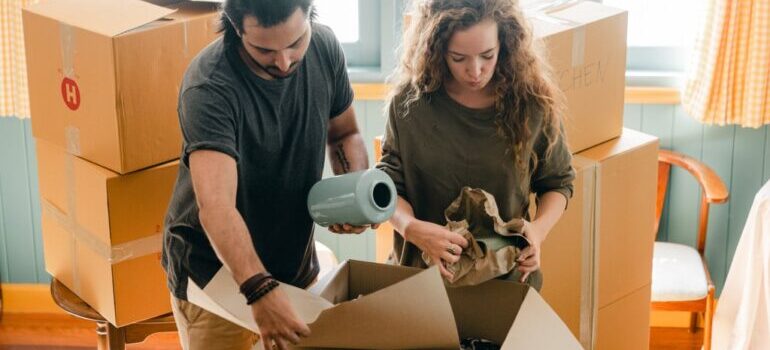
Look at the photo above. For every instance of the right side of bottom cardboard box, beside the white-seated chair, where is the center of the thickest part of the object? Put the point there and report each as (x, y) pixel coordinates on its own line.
(625, 323)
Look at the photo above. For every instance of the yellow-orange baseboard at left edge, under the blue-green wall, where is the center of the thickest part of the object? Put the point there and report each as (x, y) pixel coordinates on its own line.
(28, 298)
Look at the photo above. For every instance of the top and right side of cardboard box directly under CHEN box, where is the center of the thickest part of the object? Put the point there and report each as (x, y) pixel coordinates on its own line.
(626, 187)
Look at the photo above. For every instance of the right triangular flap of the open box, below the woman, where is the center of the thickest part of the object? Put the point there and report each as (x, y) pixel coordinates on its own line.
(538, 327)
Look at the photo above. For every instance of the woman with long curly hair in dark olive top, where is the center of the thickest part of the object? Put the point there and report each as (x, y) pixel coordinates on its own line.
(473, 105)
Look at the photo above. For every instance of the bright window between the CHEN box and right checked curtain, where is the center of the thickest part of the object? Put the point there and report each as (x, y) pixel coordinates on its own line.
(661, 35)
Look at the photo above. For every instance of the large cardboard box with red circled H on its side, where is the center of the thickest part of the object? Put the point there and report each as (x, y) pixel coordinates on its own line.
(104, 76)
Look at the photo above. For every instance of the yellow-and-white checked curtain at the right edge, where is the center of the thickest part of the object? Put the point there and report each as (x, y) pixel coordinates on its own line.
(730, 80)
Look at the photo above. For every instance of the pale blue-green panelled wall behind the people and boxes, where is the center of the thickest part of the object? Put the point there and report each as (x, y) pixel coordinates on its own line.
(740, 156)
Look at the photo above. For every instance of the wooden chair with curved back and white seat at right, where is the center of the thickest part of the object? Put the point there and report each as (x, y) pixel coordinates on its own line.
(681, 279)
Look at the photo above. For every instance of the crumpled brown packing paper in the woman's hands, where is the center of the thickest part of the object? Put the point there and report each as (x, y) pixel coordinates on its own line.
(493, 245)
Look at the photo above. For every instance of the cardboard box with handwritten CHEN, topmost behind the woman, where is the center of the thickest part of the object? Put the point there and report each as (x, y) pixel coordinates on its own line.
(586, 46)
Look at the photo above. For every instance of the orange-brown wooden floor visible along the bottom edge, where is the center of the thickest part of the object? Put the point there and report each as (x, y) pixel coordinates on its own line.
(61, 332)
